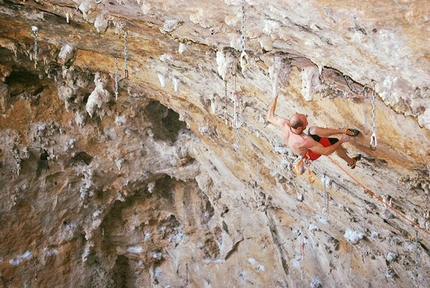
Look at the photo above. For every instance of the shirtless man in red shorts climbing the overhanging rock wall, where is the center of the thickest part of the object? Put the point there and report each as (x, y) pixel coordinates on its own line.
(315, 144)
